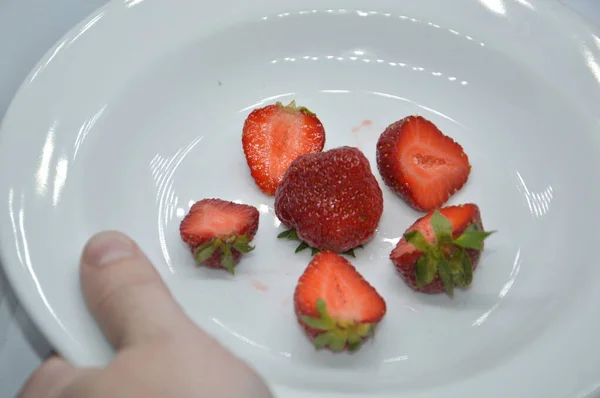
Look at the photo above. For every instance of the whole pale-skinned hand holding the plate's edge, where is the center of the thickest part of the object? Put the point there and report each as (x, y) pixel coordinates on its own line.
(160, 351)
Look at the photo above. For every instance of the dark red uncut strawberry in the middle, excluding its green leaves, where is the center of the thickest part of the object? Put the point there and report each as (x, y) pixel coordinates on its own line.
(331, 199)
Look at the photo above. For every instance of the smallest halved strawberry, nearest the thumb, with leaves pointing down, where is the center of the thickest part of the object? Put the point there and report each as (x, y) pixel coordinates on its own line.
(218, 232)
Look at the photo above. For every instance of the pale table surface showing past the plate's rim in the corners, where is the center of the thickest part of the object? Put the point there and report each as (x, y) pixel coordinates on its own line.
(28, 28)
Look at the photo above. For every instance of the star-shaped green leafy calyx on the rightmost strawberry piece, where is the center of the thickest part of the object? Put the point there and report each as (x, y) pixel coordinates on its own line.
(446, 256)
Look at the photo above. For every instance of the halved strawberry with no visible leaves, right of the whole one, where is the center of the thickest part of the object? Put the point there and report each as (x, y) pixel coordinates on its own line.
(421, 164)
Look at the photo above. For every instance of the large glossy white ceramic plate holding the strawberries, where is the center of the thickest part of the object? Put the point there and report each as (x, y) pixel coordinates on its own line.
(138, 111)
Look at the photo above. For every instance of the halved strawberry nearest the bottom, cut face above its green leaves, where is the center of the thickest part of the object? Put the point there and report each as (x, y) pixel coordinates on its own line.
(335, 305)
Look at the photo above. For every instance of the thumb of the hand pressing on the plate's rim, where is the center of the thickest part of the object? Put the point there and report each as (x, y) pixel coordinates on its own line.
(126, 295)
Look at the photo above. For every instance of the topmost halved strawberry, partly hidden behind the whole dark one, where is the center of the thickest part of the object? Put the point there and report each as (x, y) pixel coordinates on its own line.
(274, 136)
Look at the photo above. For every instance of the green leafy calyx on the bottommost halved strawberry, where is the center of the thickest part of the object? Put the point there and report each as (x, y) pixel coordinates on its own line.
(337, 334)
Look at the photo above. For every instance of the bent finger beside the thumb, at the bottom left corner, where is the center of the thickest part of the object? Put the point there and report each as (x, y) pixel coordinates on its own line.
(49, 379)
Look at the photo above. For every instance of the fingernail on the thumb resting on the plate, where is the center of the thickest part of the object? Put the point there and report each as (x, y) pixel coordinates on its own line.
(107, 247)
